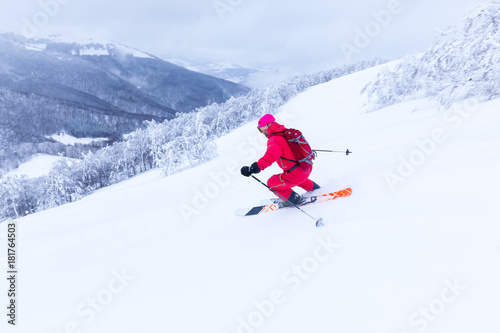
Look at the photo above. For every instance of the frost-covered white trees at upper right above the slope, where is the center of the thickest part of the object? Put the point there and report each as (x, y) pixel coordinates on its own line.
(463, 62)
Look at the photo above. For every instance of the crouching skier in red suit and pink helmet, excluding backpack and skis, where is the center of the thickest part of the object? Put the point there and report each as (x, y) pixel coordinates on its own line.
(279, 151)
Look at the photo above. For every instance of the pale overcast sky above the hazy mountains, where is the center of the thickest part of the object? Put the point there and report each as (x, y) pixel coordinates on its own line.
(301, 36)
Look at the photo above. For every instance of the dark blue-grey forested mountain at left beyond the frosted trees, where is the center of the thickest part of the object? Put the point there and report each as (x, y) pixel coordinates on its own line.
(92, 89)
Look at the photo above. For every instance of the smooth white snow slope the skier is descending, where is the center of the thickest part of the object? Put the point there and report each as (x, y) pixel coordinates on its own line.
(415, 248)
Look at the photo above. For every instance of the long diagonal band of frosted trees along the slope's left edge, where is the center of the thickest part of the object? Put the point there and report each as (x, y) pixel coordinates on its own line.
(173, 145)
